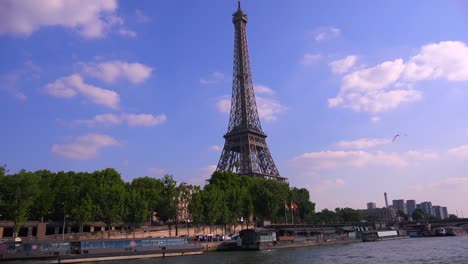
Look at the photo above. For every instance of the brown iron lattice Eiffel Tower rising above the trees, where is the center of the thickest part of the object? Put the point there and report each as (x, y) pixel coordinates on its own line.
(245, 150)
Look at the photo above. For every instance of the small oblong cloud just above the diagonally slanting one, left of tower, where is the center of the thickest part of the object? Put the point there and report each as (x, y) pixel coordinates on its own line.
(112, 71)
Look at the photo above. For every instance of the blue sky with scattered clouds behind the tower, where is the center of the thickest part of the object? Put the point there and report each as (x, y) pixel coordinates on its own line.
(144, 87)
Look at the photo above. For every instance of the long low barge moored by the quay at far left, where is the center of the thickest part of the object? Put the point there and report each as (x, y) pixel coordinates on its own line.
(79, 251)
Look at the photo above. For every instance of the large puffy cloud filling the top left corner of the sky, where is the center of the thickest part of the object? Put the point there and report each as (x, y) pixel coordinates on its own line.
(92, 19)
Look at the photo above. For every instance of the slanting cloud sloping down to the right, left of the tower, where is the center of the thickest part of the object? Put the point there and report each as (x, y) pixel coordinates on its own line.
(69, 86)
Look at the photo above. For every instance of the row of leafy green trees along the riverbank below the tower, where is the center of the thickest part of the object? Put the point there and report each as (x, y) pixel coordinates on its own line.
(104, 196)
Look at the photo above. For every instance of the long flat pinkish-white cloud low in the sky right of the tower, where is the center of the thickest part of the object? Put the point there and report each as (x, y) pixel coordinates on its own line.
(359, 159)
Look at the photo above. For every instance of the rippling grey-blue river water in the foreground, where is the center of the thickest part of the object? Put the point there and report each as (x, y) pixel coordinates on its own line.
(412, 250)
